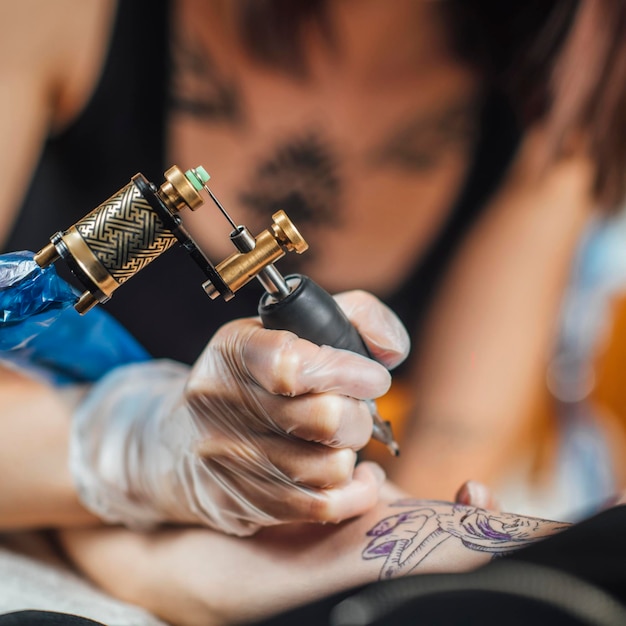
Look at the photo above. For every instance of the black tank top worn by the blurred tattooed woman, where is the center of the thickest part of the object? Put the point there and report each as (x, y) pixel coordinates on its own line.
(121, 132)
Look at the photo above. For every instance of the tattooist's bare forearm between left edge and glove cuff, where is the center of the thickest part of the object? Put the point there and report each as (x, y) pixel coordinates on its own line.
(37, 488)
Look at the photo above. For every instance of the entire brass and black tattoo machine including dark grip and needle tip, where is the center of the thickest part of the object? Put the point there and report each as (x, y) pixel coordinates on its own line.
(137, 224)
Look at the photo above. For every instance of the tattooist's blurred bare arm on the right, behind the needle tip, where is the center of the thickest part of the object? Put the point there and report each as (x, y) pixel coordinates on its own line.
(484, 353)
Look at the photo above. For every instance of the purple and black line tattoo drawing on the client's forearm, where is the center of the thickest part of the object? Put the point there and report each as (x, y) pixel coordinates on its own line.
(404, 540)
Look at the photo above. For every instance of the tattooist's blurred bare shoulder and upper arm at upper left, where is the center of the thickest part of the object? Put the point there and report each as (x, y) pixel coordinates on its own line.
(51, 53)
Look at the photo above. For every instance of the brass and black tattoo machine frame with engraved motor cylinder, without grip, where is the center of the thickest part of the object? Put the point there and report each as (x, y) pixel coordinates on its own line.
(140, 222)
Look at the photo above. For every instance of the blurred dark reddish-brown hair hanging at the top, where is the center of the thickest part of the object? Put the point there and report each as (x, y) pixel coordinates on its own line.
(559, 61)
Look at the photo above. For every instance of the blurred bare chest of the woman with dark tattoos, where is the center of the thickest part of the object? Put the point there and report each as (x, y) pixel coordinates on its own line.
(366, 153)
